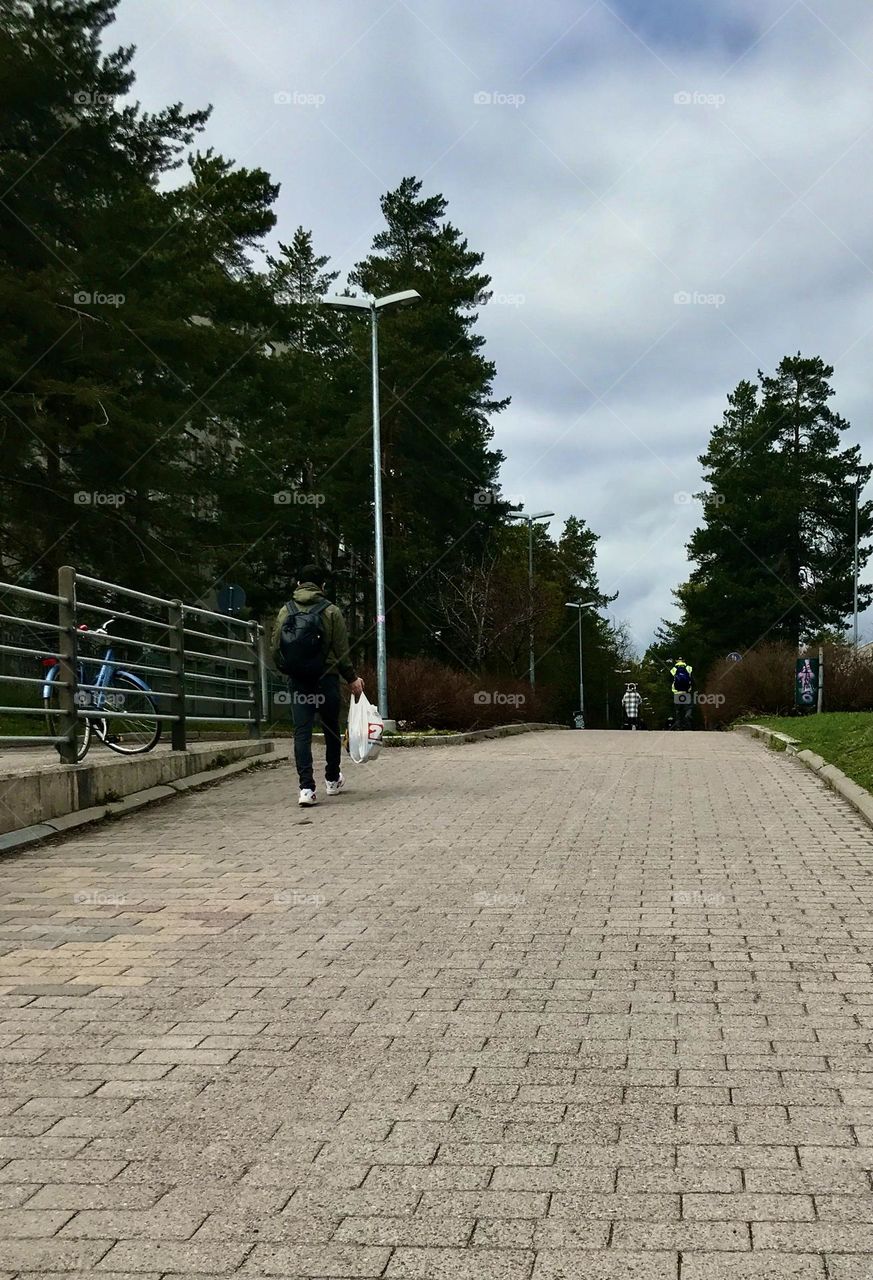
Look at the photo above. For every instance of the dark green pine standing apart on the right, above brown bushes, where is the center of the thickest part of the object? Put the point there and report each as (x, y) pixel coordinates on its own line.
(774, 557)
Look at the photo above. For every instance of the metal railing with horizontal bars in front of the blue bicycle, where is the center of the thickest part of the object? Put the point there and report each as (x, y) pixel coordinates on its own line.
(180, 657)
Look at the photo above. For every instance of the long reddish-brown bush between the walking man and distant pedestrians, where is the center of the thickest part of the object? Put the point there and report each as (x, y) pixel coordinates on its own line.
(427, 694)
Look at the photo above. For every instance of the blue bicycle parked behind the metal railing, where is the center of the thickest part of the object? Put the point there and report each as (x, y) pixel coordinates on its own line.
(103, 687)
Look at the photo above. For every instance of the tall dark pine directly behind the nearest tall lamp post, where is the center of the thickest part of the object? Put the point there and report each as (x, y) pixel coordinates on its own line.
(437, 399)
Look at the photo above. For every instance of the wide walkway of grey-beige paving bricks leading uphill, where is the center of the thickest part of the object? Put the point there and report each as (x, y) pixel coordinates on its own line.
(569, 1005)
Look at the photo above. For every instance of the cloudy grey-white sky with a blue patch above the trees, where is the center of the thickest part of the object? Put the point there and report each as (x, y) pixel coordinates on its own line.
(670, 195)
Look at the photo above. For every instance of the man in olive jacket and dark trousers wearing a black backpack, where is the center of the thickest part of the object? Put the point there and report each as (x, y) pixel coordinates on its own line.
(310, 647)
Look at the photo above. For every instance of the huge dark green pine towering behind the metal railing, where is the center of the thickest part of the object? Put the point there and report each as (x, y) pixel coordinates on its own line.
(126, 309)
